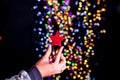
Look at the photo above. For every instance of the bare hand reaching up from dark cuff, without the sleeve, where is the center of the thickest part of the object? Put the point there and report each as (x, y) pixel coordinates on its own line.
(48, 68)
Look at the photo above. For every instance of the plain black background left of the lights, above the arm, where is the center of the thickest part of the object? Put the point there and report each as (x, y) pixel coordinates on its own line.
(16, 30)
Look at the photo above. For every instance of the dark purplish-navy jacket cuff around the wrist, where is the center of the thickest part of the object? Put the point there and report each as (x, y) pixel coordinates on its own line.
(34, 73)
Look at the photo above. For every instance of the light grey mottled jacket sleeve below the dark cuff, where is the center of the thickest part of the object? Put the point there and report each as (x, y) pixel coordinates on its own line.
(23, 75)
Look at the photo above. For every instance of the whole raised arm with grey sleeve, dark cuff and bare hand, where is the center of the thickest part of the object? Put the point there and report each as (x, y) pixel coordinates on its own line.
(43, 67)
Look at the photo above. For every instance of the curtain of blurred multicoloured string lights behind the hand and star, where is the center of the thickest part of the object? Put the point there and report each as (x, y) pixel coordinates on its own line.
(79, 21)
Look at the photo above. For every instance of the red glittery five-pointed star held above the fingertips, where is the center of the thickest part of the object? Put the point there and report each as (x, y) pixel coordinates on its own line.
(57, 39)
